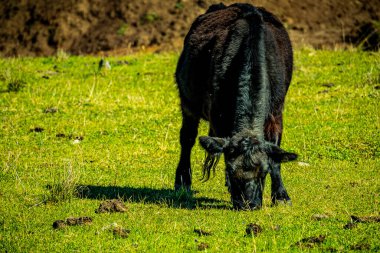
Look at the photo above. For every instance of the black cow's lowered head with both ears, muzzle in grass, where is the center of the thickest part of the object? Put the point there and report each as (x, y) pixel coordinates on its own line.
(248, 160)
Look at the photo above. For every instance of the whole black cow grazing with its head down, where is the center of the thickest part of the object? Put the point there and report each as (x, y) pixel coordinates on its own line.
(234, 71)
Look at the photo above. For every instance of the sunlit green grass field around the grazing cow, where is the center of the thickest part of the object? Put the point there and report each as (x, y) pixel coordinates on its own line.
(72, 135)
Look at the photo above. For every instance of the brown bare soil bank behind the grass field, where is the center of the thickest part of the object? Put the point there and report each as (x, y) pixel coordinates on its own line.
(42, 28)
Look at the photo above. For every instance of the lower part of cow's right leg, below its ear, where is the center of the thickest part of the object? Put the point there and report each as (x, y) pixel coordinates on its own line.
(279, 193)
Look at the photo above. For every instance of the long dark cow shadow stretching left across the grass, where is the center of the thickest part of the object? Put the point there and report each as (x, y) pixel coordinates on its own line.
(168, 197)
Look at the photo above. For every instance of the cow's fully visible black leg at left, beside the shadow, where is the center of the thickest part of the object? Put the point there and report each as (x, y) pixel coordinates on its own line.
(188, 134)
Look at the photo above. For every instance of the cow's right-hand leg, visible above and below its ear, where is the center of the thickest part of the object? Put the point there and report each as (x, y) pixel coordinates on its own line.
(274, 135)
